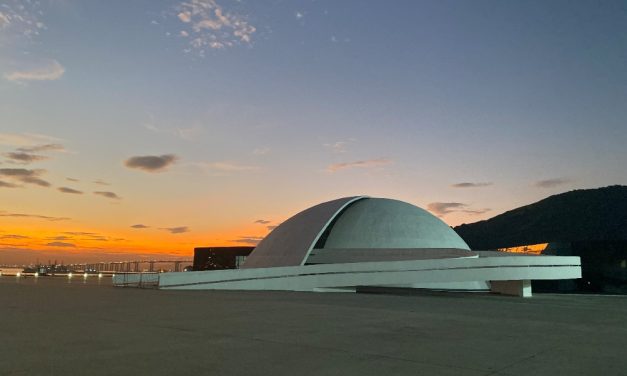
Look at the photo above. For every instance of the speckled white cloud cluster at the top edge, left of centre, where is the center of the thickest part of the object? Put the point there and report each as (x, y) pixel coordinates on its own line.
(207, 25)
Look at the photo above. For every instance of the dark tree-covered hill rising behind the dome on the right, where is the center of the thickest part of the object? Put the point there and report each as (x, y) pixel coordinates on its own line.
(585, 214)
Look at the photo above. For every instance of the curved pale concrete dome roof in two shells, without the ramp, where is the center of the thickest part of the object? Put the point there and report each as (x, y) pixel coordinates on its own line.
(353, 223)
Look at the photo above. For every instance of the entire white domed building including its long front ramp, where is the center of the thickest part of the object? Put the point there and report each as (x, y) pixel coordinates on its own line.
(355, 242)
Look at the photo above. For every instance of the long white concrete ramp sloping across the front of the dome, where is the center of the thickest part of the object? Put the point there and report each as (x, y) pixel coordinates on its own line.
(392, 273)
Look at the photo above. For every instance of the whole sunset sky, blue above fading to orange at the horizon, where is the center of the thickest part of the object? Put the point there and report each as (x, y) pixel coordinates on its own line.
(142, 129)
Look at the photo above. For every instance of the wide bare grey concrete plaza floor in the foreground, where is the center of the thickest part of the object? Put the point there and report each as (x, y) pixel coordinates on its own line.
(51, 327)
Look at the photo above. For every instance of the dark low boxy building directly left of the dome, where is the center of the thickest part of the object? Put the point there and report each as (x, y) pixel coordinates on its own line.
(218, 258)
